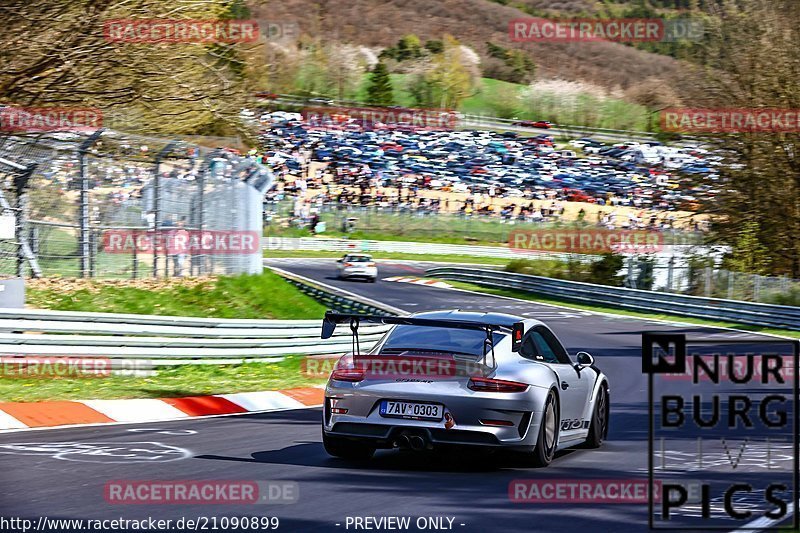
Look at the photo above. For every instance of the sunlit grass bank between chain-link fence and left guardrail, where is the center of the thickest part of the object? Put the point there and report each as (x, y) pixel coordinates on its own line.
(264, 296)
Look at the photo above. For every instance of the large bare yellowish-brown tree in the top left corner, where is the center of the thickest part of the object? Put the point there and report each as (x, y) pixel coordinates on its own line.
(56, 54)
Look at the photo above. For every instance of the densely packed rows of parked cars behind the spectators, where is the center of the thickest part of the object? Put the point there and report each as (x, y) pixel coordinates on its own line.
(469, 161)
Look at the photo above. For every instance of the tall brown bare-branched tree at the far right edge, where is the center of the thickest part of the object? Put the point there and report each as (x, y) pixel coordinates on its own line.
(755, 65)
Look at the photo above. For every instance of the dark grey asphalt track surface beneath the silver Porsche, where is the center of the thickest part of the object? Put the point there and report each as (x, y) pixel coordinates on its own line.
(62, 472)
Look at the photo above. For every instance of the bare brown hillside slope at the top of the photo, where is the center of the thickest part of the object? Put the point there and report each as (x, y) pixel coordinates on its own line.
(380, 23)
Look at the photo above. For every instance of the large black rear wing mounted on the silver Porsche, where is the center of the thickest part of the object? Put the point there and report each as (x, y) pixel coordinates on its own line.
(331, 319)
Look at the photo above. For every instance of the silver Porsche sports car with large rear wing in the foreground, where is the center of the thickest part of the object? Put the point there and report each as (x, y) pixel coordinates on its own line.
(459, 378)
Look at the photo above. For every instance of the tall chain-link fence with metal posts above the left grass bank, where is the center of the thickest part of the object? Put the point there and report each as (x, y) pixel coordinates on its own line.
(115, 205)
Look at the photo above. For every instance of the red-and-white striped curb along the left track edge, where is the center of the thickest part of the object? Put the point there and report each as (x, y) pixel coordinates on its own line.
(24, 415)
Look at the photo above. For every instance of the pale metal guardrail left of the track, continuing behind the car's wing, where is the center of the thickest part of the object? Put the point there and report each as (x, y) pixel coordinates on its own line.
(135, 342)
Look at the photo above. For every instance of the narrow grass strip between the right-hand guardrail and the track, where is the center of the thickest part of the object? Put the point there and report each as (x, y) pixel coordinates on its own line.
(611, 310)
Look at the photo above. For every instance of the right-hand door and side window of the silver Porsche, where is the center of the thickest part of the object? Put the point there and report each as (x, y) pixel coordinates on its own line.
(574, 386)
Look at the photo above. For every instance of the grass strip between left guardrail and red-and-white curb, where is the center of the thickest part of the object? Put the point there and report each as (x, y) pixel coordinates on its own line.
(172, 382)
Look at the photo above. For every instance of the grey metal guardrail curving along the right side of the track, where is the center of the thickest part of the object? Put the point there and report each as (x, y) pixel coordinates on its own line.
(757, 314)
